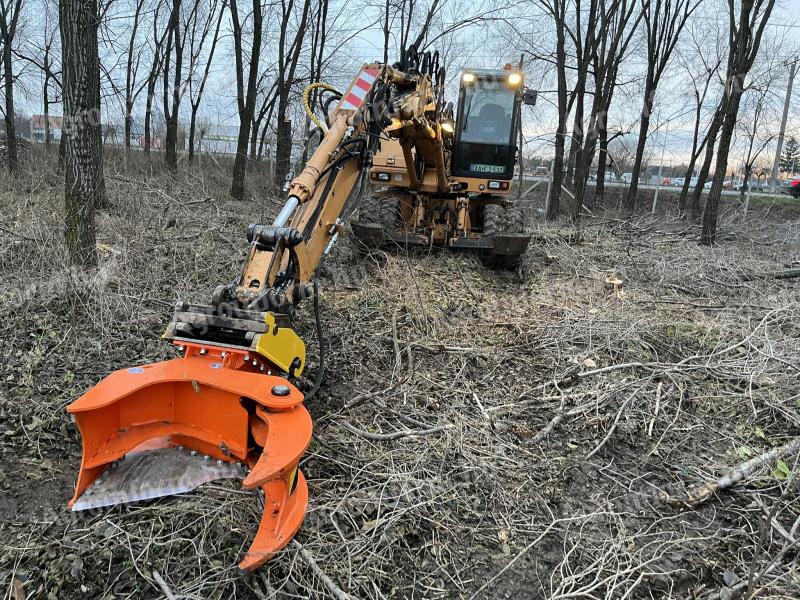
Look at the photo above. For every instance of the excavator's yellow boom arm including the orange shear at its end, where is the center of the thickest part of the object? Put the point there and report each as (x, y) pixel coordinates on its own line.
(229, 406)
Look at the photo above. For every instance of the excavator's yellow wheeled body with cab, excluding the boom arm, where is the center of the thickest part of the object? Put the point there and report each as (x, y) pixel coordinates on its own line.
(459, 194)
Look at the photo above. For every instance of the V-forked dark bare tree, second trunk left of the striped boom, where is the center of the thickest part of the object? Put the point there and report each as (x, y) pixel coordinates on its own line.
(245, 91)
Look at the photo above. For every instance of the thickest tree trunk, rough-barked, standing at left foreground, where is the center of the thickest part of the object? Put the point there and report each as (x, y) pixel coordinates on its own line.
(84, 186)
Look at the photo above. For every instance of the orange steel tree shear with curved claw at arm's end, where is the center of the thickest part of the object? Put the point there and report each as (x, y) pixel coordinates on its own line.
(213, 401)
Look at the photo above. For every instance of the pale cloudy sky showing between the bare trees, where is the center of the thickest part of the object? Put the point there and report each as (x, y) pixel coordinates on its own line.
(482, 46)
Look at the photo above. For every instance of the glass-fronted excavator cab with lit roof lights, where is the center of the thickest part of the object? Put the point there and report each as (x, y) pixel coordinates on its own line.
(485, 142)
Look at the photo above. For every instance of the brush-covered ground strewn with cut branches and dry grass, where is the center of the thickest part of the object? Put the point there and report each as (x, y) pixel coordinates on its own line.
(480, 434)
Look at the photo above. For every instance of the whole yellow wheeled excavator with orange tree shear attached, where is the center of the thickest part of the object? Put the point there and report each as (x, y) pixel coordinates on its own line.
(229, 406)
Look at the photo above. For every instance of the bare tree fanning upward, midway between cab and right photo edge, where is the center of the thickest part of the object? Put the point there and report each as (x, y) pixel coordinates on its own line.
(664, 21)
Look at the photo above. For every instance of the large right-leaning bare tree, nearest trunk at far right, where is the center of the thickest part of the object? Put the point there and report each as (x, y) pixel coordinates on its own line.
(744, 35)
